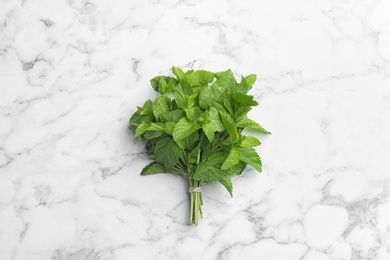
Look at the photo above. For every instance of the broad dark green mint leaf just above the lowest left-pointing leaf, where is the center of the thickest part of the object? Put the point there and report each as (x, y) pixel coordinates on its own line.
(167, 153)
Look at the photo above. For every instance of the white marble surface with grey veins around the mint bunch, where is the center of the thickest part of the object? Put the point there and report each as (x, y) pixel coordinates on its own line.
(72, 72)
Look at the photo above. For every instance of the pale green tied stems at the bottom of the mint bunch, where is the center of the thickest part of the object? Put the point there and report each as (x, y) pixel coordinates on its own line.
(196, 201)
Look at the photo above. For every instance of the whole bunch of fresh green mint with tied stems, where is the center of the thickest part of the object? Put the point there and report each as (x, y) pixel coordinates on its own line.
(194, 128)
